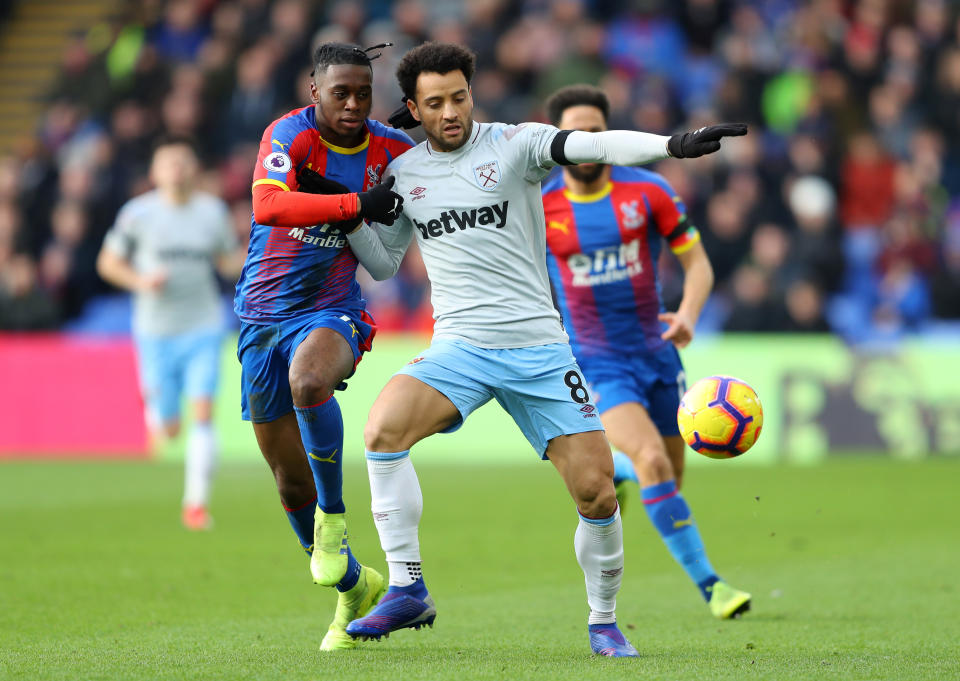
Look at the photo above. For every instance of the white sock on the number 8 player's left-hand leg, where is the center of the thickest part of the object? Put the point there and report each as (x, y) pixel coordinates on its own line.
(397, 503)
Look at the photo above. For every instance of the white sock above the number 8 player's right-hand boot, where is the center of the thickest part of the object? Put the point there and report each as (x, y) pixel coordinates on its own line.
(599, 549)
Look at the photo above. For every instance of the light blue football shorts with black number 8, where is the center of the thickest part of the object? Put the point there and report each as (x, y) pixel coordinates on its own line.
(541, 386)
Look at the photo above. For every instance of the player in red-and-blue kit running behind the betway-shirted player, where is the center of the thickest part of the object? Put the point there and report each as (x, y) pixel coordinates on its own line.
(604, 229)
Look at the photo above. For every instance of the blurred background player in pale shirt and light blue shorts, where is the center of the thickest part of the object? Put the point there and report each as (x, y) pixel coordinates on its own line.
(166, 248)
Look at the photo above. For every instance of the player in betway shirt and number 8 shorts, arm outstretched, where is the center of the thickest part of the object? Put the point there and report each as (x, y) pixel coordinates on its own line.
(477, 215)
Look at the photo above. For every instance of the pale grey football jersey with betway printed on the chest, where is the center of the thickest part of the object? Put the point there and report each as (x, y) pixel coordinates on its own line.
(478, 218)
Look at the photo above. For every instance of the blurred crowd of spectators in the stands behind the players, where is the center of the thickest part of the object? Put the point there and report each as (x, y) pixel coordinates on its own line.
(839, 211)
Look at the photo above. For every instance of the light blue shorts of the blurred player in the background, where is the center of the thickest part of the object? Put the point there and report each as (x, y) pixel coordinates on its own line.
(177, 365)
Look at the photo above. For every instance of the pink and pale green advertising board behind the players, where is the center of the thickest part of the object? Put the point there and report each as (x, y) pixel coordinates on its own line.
(78, 397)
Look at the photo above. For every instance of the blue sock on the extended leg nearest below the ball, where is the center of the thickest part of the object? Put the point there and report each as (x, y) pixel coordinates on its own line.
(671, 516)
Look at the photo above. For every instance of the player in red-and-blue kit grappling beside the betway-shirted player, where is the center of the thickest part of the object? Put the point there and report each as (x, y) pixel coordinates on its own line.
(304, 325)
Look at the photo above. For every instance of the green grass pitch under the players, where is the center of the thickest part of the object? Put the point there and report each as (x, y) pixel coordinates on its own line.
(853, 567)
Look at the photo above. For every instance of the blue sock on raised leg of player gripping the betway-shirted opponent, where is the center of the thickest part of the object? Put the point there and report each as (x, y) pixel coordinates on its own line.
(321, 428)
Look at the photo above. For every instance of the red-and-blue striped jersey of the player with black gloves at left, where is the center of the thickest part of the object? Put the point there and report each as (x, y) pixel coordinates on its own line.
(292, 270)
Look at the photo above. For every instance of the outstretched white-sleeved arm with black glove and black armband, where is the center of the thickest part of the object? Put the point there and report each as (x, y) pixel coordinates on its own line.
(629, 148)
